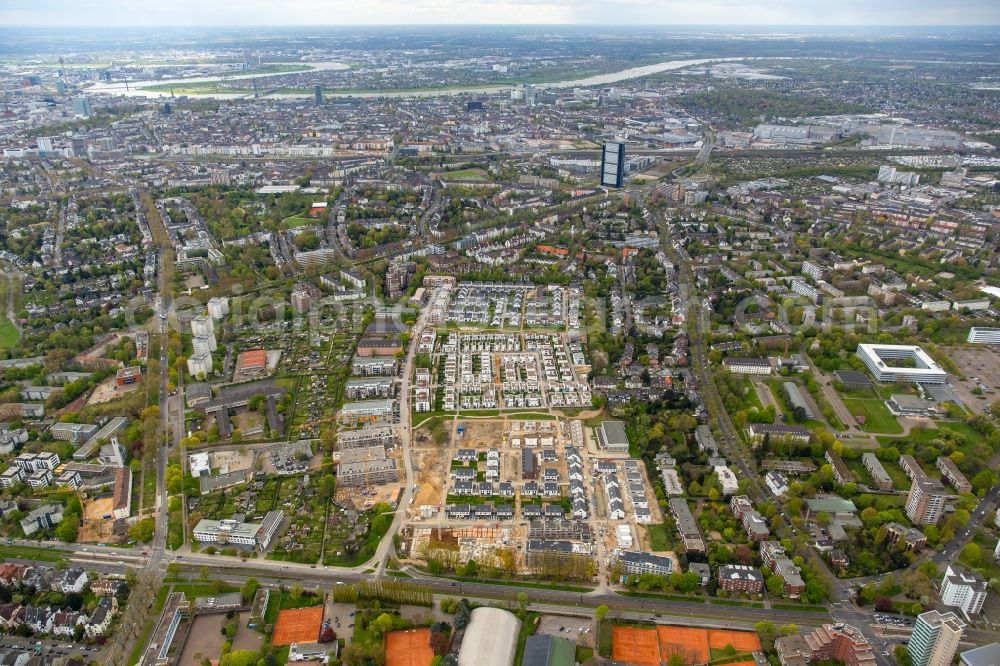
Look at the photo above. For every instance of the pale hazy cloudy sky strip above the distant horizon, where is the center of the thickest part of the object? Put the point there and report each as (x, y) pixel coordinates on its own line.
(374, 12)
